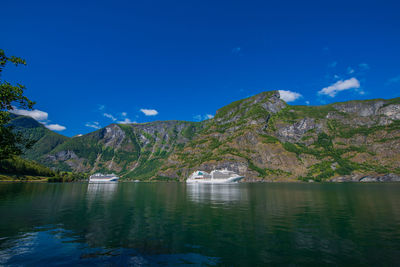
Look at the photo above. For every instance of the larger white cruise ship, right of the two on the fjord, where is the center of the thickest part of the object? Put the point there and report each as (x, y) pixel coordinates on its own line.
(215, 177)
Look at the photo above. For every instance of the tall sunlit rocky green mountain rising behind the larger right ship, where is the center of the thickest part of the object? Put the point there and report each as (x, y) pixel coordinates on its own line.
(262, 138)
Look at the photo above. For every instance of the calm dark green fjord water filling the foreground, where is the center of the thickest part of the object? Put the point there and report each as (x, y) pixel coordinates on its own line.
(172, 224)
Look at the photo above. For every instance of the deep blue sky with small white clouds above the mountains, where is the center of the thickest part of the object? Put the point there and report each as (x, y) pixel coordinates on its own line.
(92, 63)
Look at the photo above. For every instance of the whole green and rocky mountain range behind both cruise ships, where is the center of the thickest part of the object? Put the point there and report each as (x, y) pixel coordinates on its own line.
(260, 137)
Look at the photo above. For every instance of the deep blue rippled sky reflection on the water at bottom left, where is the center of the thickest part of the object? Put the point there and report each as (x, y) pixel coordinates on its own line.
(55, 247)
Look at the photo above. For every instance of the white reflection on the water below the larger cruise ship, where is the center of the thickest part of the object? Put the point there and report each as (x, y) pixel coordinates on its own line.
(216, 193)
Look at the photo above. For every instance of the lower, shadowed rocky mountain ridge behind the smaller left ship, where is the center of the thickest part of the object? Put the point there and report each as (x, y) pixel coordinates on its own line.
(133, 151)
